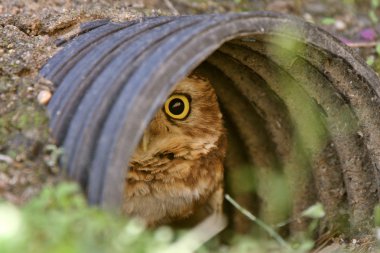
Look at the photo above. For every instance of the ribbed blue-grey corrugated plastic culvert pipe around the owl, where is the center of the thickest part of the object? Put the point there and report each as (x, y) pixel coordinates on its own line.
(296, 101)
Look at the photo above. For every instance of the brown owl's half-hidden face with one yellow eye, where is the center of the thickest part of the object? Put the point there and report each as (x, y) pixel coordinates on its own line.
(187, 126)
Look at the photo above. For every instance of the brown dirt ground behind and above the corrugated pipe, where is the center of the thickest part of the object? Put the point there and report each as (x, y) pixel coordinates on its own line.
(29, 29)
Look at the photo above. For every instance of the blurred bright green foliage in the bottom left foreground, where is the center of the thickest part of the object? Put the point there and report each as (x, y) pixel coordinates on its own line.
(59, 220)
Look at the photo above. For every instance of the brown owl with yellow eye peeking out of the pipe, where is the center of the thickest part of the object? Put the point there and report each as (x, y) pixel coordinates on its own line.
(176, 172)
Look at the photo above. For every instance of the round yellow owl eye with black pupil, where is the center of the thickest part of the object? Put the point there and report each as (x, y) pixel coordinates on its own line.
(177, 106)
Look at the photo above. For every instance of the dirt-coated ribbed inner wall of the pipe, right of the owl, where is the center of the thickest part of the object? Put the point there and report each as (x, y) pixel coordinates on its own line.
(317, 148)
